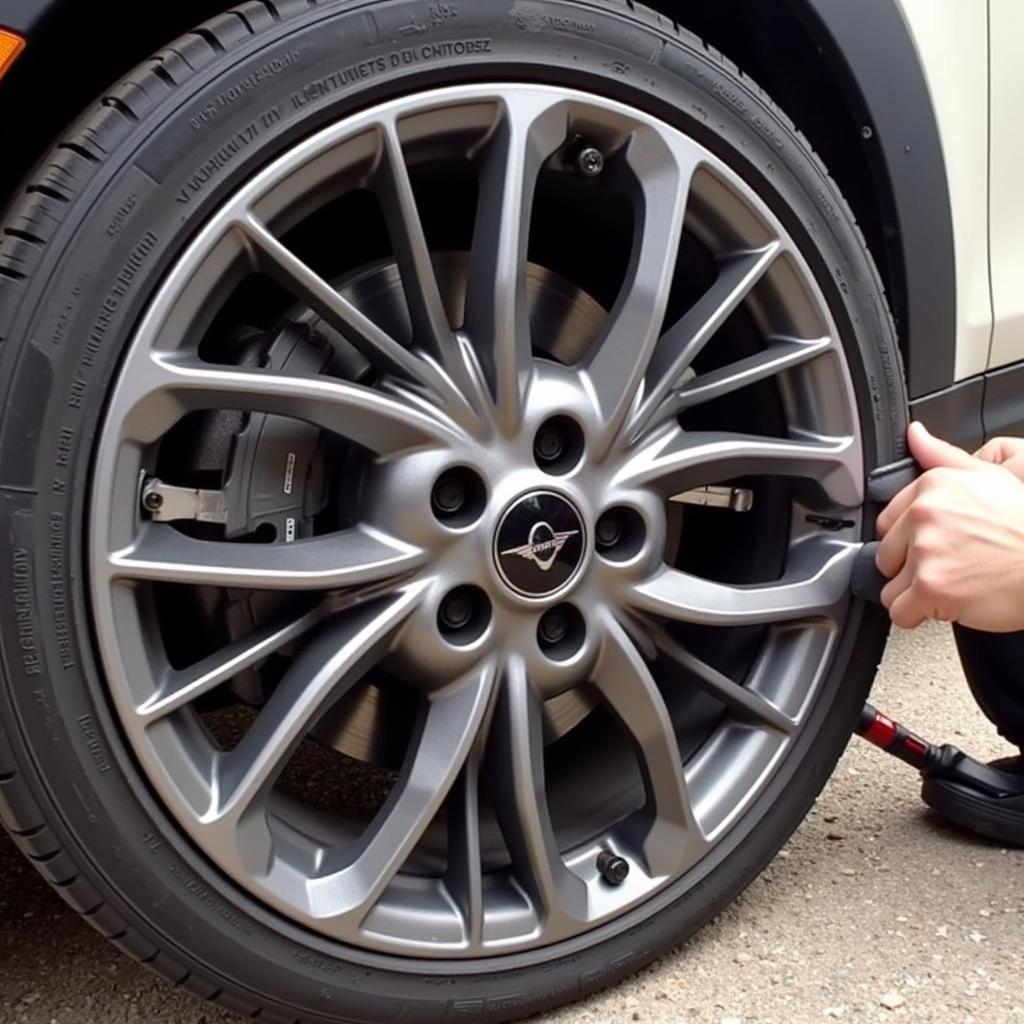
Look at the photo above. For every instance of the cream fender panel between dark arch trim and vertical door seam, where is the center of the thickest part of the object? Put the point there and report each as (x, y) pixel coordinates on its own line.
(952, 37)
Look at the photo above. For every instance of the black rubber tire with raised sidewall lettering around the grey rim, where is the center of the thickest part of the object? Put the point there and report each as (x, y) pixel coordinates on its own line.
(83, 251)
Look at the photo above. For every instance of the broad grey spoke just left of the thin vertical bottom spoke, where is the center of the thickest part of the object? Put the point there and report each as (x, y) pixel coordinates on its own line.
(446, 737)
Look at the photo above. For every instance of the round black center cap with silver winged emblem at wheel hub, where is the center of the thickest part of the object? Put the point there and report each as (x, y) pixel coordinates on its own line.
(540, 544)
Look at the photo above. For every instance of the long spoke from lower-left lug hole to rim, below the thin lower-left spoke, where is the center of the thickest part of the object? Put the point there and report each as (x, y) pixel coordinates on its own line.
(325, 670)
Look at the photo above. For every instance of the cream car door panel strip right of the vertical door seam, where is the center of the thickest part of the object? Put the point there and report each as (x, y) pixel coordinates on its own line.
(1007, 179)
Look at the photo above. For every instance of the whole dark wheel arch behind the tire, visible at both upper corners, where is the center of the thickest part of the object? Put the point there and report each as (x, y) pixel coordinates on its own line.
(848, 71)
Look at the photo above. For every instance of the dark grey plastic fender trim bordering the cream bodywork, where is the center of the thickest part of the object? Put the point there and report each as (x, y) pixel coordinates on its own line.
(877, 65)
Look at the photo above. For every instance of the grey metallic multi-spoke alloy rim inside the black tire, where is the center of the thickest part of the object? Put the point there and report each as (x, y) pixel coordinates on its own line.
(475, 397)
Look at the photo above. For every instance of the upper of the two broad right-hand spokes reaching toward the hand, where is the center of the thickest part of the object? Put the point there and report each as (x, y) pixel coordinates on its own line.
(677, 461)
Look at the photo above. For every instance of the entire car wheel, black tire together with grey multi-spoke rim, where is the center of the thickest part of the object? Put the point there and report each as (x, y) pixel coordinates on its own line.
(434, 455)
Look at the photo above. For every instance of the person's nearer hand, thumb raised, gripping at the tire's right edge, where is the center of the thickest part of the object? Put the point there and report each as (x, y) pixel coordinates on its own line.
(953, 542)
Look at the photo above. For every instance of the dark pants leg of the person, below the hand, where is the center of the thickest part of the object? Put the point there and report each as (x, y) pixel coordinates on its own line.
(994, 664)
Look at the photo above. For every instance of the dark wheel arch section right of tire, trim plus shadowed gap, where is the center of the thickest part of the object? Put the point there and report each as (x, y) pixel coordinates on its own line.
(850, 77)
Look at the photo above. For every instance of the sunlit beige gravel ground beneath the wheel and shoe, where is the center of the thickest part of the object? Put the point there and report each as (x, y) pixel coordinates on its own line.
(874, 913)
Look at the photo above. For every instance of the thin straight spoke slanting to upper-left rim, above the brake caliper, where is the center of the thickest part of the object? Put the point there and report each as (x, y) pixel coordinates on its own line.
(376, 345)
